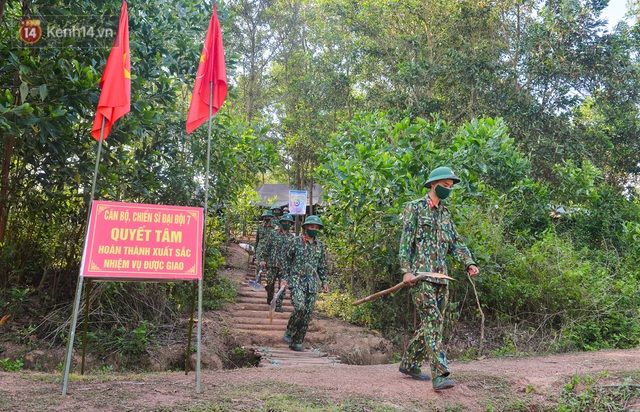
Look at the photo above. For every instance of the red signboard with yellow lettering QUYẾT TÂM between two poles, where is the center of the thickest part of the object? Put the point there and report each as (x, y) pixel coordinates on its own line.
(130, 241)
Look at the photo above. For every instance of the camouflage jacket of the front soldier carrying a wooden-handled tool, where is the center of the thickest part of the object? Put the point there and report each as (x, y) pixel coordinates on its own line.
(428, 236)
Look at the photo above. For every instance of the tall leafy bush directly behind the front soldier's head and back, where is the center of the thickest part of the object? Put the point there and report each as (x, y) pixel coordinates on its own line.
(374, 166)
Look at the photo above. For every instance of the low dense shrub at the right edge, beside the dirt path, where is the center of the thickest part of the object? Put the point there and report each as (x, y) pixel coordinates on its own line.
(551, 284)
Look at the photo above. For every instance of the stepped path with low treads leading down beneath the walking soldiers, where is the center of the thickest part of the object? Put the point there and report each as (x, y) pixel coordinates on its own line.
(249, 320)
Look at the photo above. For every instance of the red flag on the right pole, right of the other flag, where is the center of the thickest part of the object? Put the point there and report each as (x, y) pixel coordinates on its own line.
(211, 69)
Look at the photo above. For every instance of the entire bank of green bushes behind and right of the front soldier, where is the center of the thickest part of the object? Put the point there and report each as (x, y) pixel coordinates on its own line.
(535, 270)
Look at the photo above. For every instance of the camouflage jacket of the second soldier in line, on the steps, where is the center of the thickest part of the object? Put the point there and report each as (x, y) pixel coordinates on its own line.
(305, 263)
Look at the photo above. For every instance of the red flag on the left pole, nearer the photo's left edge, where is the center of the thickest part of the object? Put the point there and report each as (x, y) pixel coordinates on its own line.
(115, 99)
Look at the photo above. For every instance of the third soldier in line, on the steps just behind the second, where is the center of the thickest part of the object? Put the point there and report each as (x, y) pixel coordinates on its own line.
(273, 254)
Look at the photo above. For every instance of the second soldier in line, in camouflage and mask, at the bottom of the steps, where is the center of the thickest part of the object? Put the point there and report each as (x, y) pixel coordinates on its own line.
(306, 262)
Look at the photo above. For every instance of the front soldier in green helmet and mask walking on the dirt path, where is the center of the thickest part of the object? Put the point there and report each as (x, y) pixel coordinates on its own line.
(428, 236)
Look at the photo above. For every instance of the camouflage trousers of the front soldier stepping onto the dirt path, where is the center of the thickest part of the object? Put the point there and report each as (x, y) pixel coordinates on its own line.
(431, 300)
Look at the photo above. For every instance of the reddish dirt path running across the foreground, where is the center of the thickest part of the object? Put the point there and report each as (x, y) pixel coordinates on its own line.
(512, 384)
